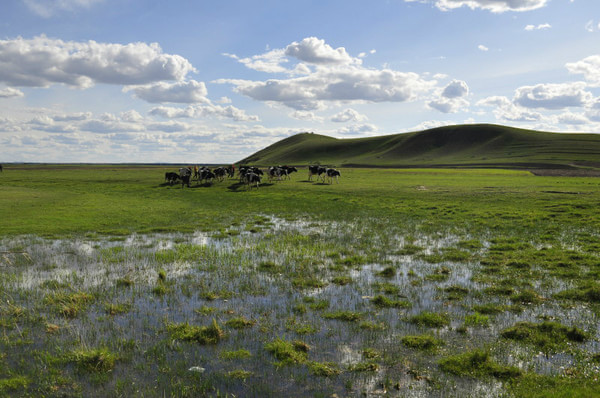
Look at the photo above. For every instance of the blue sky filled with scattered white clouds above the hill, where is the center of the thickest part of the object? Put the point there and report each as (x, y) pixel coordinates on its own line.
(196, 81)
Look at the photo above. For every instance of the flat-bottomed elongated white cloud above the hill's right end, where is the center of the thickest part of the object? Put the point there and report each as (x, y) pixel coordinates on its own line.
(553, 96)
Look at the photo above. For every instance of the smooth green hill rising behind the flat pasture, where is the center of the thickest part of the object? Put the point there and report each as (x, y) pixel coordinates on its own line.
(477, 145)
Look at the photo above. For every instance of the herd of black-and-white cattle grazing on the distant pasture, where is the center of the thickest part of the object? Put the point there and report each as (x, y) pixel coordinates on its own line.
(249, 175)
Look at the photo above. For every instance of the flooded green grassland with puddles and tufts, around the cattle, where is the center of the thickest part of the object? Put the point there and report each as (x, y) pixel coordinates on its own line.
(399, 282)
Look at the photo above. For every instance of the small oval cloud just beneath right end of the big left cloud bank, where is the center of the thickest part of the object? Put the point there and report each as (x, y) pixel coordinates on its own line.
(179, 92)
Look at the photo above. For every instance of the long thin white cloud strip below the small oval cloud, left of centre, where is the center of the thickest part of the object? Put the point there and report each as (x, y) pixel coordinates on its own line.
(203, 111)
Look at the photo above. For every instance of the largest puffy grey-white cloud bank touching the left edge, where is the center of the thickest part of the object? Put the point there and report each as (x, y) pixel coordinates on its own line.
(41, 62)
